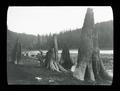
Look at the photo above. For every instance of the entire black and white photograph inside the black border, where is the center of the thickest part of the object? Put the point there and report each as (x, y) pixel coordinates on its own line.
(60, 45)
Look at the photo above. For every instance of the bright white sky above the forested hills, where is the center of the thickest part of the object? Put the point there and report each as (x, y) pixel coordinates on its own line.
(52, 19)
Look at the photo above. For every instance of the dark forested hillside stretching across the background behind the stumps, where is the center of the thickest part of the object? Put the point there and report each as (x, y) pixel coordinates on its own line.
(69, 38)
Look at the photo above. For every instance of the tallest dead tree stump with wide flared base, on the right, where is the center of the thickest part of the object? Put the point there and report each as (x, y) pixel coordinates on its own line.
(89, 64)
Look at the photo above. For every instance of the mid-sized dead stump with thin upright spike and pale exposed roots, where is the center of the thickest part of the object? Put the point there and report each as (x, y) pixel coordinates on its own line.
(51, 59)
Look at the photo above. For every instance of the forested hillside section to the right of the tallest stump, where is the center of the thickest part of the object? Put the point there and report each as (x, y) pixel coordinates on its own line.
(105, 30)
